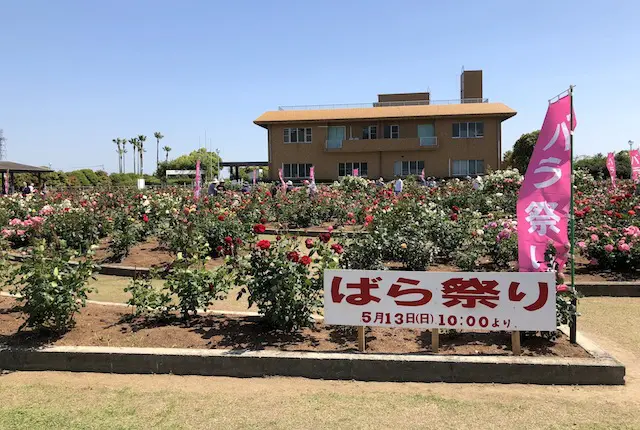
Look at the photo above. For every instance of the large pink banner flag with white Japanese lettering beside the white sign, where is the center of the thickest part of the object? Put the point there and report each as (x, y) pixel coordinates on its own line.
(545, 195)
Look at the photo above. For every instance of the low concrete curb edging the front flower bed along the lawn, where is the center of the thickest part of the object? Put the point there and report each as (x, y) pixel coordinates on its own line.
(602, 369)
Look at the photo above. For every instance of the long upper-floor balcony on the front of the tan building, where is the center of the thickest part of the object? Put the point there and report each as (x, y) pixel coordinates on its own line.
(382, 145)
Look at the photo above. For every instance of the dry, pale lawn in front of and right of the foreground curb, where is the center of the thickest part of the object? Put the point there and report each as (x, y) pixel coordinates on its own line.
(35, 400)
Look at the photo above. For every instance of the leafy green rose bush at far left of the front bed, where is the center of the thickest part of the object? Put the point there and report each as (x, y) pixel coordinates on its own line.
(50, 289)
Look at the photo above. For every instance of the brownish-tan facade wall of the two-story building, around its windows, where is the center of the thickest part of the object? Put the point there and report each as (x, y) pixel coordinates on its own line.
(380, 162)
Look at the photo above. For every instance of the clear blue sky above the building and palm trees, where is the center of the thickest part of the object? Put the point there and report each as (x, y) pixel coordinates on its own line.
(76, 74)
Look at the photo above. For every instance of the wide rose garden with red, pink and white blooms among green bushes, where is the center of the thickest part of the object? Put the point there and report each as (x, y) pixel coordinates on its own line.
(269, 253)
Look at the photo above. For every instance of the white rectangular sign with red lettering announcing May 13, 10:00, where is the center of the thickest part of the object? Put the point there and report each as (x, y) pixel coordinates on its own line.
(497, 301)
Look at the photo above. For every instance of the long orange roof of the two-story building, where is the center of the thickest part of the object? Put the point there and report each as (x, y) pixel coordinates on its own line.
(419, 111)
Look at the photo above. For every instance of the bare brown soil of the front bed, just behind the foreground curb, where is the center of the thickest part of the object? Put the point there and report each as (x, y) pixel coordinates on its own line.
(111, 326)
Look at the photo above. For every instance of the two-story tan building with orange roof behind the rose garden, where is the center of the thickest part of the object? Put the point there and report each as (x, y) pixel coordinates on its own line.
(399, 135)
